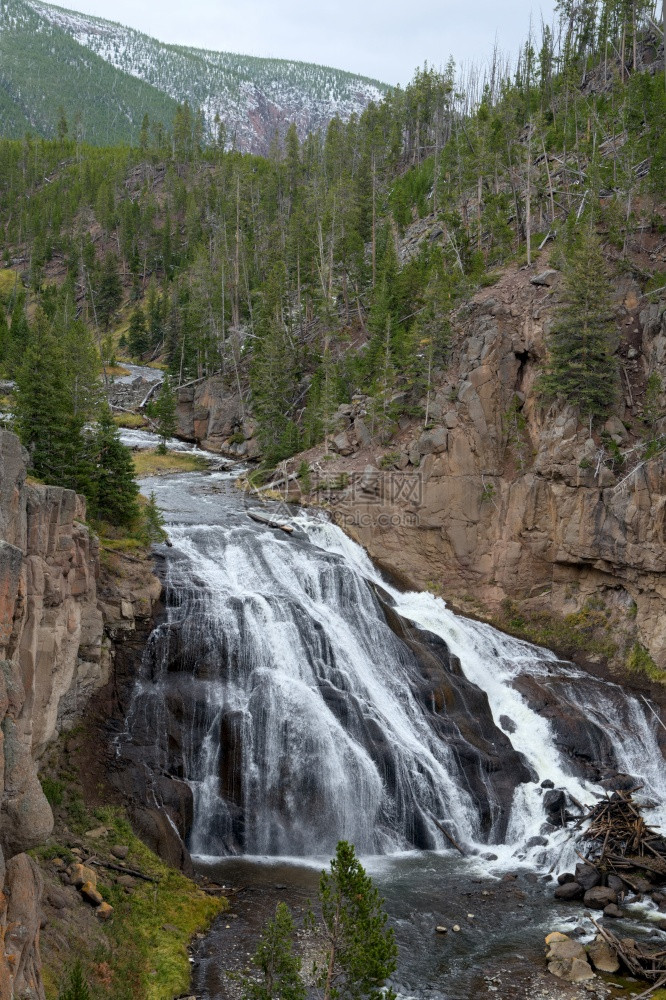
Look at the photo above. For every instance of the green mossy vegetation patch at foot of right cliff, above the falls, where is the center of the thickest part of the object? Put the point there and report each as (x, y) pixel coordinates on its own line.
(583, 633)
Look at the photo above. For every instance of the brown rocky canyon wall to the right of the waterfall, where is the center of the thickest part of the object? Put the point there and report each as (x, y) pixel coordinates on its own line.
(503, 498)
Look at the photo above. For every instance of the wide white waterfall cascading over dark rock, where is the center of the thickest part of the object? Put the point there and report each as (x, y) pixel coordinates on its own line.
(304, 700)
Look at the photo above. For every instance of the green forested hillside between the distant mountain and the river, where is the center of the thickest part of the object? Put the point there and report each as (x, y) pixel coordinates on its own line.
(288, 274)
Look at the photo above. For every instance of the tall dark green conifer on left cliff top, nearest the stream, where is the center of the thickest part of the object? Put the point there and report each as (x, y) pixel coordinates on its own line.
(115, 489)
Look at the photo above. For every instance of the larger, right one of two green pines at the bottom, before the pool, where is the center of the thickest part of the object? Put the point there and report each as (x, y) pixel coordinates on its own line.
(360, 949)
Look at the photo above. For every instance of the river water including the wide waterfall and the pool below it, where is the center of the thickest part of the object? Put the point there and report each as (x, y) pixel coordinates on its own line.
(299, 698)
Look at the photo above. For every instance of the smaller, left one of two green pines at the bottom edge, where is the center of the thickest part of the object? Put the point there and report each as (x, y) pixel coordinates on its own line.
(278, 966)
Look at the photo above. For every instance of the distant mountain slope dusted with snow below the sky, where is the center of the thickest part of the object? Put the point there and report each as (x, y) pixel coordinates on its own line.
(114, 75)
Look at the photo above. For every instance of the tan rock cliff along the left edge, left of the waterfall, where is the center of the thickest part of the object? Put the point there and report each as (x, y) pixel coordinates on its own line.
(55, 652)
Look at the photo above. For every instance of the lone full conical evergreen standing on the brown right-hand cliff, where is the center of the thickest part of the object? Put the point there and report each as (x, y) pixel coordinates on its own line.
(582, 368)
